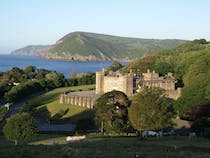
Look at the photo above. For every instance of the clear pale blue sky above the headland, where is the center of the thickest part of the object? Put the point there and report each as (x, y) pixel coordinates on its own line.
(32, 22)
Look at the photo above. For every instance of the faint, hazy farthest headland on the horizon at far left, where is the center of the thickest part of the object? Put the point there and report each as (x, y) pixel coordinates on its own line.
(31, 50)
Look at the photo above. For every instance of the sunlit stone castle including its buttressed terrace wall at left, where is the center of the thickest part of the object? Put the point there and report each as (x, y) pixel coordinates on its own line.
(128, 83)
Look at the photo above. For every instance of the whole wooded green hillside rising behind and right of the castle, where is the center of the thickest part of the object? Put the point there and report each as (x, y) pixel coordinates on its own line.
(190, 64)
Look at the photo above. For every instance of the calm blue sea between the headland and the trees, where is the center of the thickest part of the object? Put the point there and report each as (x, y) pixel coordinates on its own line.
(65, 67)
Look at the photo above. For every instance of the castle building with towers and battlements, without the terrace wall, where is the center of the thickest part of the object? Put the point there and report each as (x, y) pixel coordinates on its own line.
(131, 83)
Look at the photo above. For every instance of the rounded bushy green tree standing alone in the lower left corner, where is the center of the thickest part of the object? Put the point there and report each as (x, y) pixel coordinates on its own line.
(20, 128)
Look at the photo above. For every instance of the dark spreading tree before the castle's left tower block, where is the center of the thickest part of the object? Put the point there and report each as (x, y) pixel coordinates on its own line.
(111, 110)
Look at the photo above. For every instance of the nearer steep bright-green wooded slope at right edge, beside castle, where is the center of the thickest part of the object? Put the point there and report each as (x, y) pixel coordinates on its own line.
(196, 89)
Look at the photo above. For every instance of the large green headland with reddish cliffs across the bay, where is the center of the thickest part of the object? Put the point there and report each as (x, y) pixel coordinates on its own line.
(90, 46)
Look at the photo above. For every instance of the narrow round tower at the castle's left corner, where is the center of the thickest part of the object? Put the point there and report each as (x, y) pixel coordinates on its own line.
(100, 82)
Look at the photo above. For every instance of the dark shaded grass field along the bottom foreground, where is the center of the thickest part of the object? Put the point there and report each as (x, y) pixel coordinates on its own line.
(109, 147)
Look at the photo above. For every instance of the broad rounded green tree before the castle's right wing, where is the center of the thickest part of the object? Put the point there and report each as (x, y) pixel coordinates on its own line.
(150, 110)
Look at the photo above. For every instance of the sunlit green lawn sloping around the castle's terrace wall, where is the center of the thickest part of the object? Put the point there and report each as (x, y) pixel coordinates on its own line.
(47, 105)
